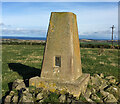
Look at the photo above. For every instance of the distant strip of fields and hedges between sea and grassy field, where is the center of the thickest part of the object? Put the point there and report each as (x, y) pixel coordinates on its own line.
(84, 43)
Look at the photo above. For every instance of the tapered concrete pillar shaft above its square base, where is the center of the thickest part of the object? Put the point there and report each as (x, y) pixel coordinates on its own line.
(62, 53)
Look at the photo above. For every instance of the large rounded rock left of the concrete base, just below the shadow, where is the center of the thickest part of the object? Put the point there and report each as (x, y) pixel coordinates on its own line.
(18, 84)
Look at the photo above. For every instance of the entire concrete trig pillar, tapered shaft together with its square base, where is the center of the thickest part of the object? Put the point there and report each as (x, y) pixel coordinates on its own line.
(61, 67)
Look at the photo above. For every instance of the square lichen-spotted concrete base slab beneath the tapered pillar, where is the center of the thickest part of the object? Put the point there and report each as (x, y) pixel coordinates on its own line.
(76, 88)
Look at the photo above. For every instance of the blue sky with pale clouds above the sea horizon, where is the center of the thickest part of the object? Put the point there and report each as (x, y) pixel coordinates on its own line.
(31, 19)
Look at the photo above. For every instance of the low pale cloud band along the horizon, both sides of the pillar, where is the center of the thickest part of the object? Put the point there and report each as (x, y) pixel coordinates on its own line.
(37, 32)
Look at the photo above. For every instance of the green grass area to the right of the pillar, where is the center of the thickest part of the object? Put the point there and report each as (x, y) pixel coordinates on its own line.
(106, 63)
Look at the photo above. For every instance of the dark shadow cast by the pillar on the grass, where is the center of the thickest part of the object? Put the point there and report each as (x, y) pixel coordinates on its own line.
(25, 71)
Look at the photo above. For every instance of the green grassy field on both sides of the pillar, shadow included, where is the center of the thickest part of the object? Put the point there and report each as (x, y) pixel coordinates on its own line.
(24, 61)
